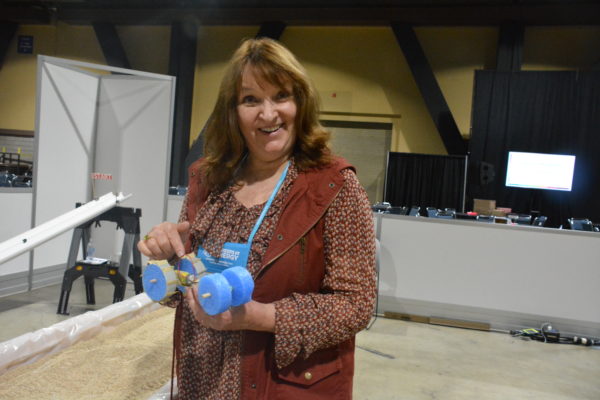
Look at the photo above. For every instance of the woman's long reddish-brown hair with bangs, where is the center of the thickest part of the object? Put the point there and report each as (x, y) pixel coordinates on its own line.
(224, 146)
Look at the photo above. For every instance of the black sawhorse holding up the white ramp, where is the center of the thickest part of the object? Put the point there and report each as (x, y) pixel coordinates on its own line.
(129, 220)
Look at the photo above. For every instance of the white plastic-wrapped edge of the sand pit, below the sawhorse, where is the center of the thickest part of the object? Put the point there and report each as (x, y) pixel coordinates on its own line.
(32, 346)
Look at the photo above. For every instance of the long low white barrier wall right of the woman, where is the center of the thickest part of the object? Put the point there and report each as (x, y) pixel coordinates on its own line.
(536, 271)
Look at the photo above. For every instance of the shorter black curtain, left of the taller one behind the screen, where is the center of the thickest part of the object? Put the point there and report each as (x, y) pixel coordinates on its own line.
(425, 180)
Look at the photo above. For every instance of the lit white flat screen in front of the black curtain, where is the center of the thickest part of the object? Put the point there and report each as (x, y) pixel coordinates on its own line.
(540, 171)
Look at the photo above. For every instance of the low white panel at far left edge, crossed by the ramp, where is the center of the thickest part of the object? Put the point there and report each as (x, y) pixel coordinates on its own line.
(16, 218)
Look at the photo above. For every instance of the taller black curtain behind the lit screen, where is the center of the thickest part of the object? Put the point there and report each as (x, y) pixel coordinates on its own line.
(540, 112)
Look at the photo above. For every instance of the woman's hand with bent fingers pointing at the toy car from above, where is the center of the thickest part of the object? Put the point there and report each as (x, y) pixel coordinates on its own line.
(165, 240)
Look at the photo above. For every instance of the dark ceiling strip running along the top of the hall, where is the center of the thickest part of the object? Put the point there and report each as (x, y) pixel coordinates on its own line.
(304, 12)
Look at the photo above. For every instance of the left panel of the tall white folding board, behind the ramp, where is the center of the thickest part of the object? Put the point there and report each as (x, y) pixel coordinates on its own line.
(64, 141)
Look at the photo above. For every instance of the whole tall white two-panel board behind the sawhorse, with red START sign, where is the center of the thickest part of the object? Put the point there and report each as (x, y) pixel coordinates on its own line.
(89, 121)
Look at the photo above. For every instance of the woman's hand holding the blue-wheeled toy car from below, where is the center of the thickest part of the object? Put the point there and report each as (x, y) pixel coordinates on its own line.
(250, 316)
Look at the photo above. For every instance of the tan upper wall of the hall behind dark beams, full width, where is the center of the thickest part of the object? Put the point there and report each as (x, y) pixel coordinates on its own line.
(355, 69)
